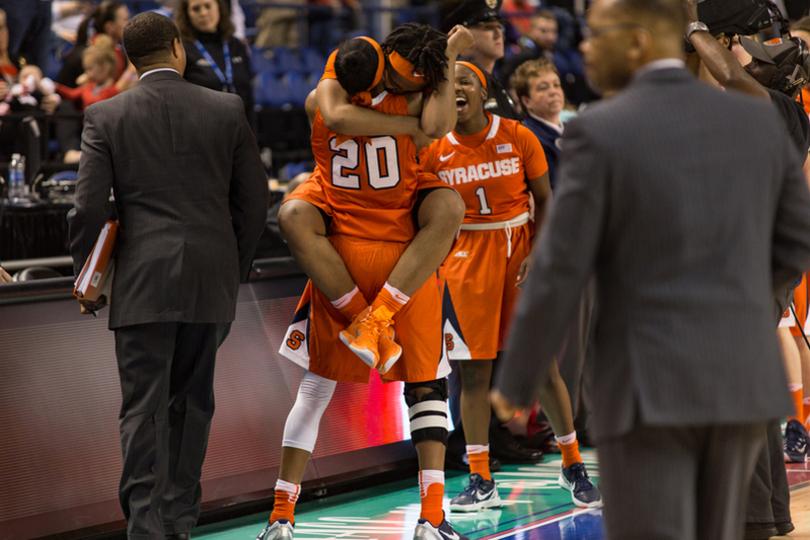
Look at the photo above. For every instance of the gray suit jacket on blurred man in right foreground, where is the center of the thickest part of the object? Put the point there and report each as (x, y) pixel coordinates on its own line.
(689, 205)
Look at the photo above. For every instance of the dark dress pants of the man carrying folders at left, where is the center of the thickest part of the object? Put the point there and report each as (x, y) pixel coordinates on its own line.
(167, 382)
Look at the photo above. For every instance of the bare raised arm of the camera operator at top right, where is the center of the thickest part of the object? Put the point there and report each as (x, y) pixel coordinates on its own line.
(720, 62)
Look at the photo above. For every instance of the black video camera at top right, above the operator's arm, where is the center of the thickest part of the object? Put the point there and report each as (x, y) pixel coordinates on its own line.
(742, 17)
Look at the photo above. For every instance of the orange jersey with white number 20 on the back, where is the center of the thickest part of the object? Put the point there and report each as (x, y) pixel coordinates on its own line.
(370, 183)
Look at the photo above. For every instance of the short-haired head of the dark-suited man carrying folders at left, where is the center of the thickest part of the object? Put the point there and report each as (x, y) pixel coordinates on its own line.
(148, 38)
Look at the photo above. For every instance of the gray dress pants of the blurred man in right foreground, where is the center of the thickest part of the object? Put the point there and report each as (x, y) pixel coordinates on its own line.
(678, 483)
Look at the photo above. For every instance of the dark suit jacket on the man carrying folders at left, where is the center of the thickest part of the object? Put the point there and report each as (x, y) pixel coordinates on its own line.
(190, 194)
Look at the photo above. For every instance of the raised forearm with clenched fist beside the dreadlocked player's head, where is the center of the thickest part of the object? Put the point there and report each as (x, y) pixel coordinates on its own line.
(439, 110)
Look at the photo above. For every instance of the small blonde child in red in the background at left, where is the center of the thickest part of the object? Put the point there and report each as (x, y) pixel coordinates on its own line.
(100, 62)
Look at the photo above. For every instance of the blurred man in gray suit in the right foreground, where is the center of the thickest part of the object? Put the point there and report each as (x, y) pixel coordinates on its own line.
(690, 207)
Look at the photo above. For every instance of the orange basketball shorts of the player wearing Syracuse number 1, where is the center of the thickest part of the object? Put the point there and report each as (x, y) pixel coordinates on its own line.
(480, 291)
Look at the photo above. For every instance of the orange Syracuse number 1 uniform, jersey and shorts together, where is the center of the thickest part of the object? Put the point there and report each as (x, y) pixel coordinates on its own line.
(489, 170)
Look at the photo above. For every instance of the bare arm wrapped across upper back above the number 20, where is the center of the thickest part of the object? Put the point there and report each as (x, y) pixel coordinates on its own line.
(342, 116)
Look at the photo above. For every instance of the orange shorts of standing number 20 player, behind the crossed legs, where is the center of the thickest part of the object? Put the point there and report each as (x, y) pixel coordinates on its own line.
(312, 340)
